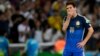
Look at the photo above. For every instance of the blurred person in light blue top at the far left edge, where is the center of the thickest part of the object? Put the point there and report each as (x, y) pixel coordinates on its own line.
(4, 44)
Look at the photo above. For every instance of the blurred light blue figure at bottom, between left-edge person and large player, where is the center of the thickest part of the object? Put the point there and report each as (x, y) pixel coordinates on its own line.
(32, 47)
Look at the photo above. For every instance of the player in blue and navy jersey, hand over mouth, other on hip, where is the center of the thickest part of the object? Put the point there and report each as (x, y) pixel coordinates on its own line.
(74, 26)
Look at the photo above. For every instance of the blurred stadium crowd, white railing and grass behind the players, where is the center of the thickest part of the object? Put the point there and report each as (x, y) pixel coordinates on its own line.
(42, 19)
